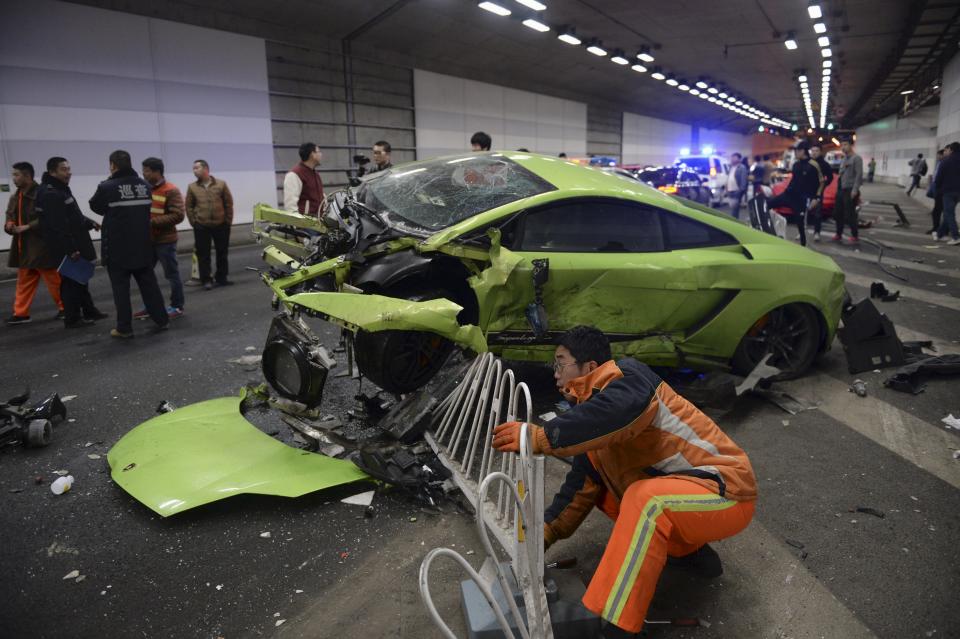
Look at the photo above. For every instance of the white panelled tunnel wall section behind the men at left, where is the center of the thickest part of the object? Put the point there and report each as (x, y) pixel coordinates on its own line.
(80, 82)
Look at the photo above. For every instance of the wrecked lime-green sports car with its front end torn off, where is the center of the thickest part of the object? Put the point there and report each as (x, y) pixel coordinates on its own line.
(505, 251)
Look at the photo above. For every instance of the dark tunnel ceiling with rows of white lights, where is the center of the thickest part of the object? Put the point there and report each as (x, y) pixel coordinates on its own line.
(732, 42)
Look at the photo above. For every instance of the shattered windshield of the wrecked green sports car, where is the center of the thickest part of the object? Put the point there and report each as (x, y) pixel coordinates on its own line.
(442, 192)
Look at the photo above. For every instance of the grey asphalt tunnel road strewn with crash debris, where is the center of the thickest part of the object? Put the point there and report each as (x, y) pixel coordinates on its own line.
(809, 565)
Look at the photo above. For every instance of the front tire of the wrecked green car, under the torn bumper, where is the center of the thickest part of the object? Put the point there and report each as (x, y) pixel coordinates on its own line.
(402, 361)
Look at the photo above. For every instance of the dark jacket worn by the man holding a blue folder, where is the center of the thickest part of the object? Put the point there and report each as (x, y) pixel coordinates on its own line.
(63, 224)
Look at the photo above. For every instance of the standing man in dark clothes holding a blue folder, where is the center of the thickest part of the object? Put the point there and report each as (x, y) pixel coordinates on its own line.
(67, 230)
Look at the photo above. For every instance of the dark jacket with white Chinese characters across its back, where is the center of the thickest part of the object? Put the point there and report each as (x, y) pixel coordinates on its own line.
(124, 202)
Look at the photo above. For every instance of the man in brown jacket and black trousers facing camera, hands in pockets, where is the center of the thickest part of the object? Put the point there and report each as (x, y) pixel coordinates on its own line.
(210, 211)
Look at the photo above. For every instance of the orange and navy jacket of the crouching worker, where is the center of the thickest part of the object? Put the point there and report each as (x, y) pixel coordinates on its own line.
(629, 425)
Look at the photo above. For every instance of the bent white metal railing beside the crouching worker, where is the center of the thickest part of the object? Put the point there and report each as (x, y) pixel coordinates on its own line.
(487, 396)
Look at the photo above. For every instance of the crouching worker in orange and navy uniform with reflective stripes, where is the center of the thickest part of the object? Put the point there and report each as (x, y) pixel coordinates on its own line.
(661, 469)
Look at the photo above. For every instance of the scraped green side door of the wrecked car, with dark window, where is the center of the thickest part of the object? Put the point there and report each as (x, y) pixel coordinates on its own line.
(608, 267)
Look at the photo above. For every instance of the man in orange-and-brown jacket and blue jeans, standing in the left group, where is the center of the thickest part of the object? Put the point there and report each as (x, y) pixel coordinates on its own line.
(166, 211)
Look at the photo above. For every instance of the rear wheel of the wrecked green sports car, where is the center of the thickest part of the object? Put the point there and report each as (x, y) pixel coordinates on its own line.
(791, 333)
